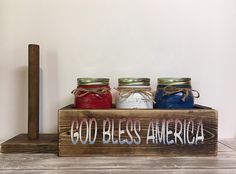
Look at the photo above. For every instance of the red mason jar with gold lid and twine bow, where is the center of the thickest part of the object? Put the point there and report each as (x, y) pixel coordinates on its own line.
(93, 93)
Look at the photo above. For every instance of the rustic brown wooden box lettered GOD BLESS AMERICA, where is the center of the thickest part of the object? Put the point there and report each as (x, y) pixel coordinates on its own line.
(118, 132)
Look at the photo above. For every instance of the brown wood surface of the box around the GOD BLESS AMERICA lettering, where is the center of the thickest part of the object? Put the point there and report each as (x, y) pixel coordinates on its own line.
(207, 116)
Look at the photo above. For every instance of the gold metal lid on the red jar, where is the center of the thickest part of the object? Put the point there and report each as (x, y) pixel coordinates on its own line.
(93, 81)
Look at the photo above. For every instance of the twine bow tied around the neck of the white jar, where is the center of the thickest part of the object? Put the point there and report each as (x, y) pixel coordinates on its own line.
(146, 93)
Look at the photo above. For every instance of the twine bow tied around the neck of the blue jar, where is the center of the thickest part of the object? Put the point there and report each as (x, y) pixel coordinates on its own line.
(169, 90)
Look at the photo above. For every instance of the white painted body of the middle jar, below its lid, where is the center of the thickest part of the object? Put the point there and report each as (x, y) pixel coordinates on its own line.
(135, 100)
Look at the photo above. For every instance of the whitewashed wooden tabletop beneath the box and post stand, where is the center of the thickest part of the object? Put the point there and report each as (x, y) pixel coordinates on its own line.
(225, 162)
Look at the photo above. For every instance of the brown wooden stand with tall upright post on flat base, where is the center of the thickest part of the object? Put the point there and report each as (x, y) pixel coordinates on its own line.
(33, 142)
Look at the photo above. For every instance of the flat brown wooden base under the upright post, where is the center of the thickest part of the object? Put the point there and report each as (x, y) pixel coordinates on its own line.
(46, 143)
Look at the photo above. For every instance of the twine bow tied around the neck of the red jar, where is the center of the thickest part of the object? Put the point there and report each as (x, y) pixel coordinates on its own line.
(80, 92)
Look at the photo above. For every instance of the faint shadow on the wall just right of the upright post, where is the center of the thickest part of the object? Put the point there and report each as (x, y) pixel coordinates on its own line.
(49, 93)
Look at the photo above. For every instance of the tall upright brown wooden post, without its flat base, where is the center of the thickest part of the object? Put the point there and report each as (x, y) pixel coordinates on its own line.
(33, 91)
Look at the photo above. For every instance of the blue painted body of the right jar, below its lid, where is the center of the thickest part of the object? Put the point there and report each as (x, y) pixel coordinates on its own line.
(181, 99)
